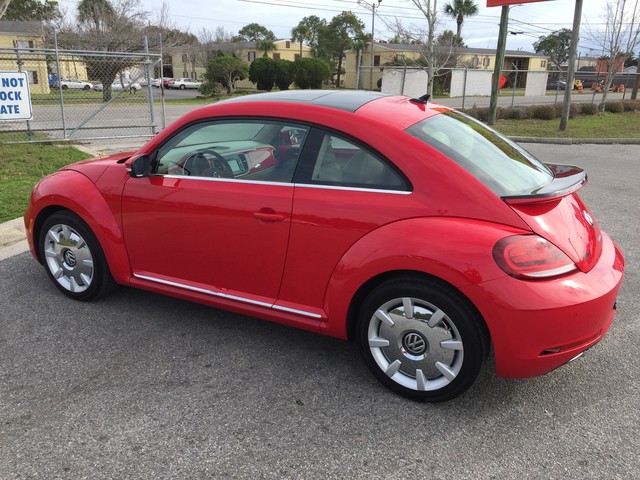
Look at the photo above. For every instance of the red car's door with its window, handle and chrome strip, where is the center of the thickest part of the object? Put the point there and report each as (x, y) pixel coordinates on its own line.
(215, 215)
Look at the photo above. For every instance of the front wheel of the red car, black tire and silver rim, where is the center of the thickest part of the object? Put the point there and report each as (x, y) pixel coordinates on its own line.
(73, 258)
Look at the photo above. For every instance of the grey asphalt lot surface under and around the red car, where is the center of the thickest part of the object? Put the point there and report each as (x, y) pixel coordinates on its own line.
(143, 386)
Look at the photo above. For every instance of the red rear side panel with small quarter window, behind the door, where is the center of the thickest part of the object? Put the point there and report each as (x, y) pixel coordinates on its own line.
(344, 190)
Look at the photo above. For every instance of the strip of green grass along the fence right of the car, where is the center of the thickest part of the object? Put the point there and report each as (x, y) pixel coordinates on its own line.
(602, 125)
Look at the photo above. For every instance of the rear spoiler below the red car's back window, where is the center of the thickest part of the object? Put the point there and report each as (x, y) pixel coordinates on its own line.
(566, 180)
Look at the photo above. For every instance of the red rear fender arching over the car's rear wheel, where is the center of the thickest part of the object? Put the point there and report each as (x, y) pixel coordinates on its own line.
(455, 250)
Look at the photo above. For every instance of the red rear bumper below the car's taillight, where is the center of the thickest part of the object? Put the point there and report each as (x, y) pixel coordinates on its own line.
(538, 326)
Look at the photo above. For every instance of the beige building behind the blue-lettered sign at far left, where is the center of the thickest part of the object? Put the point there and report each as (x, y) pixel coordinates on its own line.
(16, 38)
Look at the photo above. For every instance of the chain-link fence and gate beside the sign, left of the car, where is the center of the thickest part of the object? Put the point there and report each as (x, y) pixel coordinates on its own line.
(84, 95)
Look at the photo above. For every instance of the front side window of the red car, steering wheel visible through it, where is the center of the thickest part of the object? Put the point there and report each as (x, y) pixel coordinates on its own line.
(241, 149)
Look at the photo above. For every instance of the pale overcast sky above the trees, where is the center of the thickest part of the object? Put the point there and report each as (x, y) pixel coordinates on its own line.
(529, 21)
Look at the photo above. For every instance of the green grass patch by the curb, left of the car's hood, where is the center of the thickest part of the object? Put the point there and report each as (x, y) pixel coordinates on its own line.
(22, 166)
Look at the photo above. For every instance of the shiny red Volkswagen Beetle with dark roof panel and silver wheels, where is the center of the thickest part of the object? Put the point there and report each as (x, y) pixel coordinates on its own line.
(405, 226)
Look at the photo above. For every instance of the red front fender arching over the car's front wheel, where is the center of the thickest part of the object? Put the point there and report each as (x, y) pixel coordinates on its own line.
(82, 198)
